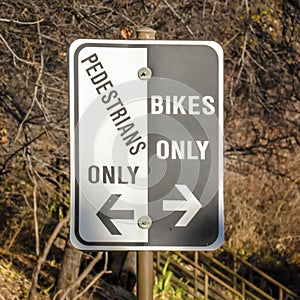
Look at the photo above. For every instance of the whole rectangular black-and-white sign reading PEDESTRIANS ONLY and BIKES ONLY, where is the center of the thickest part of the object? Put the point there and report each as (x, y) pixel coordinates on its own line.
(146, 145)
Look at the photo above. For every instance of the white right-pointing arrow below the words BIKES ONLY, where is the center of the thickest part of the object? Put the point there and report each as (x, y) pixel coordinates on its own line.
(190, 205)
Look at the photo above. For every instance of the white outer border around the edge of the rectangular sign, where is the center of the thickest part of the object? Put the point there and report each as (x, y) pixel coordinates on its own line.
(73, 52)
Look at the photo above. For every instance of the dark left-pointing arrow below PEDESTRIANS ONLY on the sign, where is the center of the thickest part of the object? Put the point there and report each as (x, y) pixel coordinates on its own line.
(105, 214)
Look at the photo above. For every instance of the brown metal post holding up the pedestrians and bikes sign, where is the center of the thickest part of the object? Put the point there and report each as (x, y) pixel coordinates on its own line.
(145, 258)
